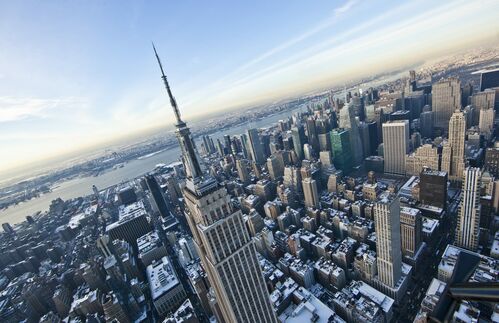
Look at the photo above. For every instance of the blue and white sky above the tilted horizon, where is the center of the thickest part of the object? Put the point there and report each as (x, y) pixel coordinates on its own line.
(78, 73)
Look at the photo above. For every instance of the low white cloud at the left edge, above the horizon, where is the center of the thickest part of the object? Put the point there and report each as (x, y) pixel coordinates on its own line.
(14, 109)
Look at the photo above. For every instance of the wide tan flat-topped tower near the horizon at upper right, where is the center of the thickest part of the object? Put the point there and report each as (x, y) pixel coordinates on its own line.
(445, 99)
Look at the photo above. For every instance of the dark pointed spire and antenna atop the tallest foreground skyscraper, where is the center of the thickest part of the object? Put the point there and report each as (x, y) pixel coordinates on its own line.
(190, 156)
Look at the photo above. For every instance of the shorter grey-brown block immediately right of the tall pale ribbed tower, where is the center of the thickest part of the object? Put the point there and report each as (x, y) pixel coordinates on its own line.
(410, 230)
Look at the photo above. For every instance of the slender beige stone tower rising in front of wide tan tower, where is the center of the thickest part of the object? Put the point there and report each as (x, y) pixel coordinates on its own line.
(457, 132)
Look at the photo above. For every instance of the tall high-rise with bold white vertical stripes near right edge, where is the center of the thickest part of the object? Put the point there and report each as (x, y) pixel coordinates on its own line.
(468, 222)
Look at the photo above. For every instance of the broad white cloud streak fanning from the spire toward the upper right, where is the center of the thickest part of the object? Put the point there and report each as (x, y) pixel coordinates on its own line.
(400, 39)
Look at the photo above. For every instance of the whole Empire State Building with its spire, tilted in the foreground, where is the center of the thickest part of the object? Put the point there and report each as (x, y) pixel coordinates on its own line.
(226, 250)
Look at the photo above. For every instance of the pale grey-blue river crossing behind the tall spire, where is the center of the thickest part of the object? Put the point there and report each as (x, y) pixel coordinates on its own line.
(132, 169)
